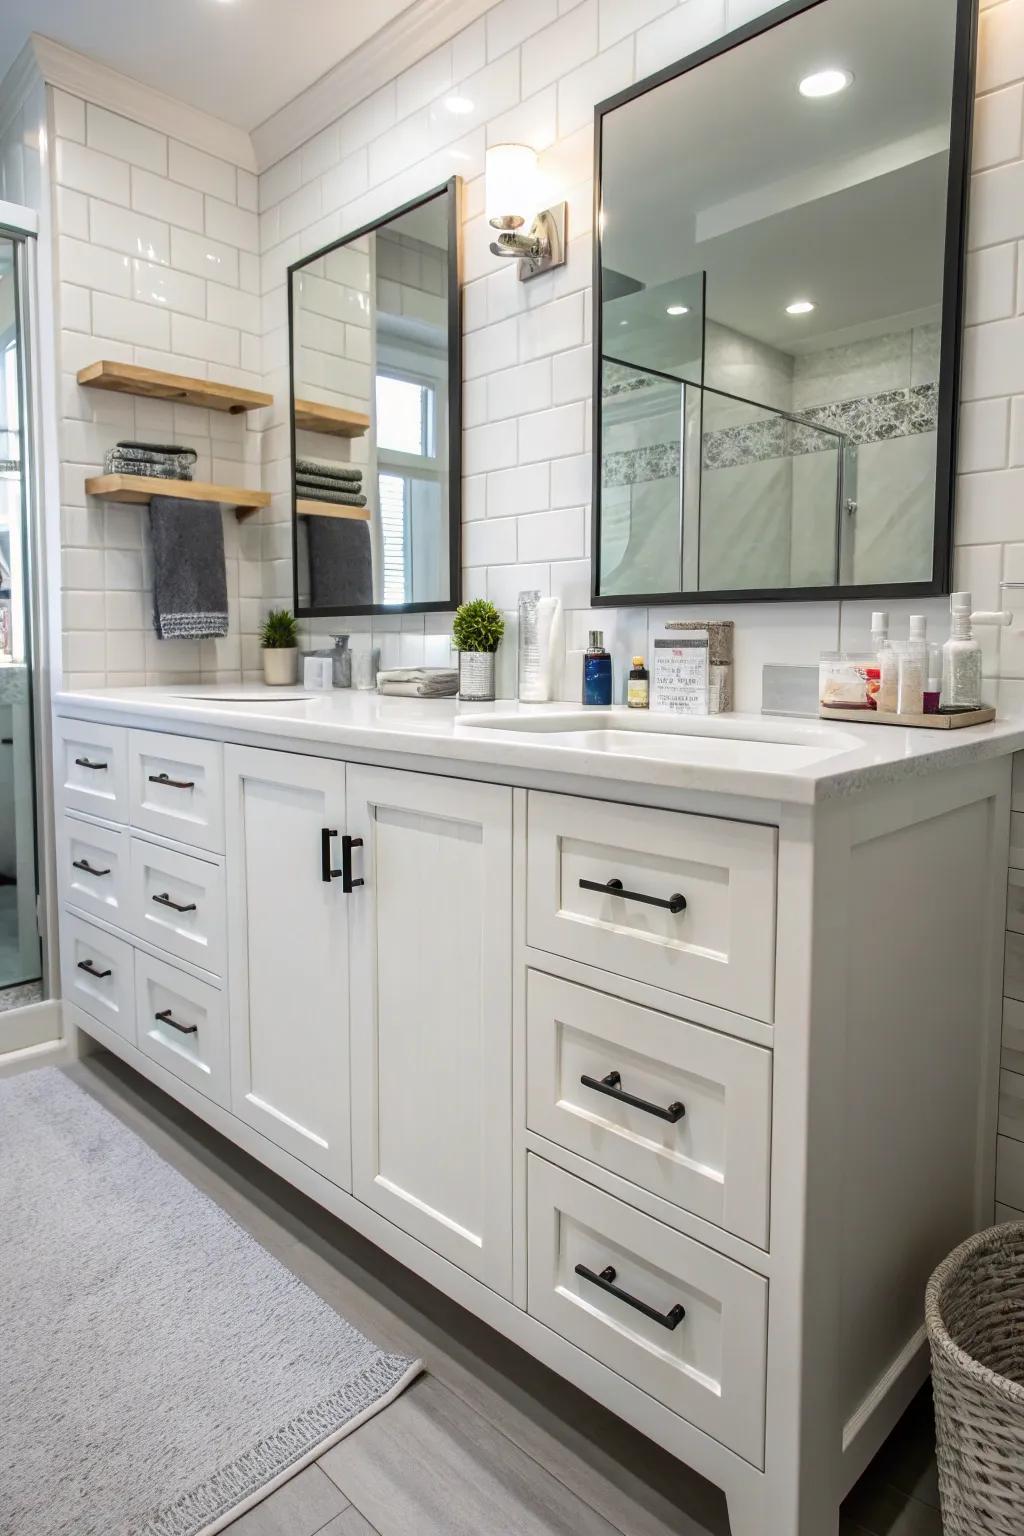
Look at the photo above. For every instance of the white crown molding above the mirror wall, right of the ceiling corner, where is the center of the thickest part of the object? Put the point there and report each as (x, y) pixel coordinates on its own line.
(408, 39)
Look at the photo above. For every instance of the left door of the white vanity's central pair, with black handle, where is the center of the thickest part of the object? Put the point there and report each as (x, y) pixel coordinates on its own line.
(288, 944)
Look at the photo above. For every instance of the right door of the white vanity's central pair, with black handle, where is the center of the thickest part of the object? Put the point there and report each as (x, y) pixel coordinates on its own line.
(432, 1005)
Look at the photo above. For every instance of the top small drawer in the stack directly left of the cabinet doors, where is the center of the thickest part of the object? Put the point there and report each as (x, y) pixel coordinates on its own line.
(177, 789)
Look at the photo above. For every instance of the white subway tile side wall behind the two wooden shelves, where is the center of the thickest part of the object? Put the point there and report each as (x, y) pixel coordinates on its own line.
(157, 265)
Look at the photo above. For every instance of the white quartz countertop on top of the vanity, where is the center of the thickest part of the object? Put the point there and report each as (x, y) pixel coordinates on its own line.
(750, 755)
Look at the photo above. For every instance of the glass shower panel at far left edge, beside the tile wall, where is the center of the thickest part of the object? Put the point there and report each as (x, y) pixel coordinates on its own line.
(21, 968)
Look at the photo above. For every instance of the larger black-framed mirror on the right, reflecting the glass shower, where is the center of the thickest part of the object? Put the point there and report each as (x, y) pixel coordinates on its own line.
(779, 279)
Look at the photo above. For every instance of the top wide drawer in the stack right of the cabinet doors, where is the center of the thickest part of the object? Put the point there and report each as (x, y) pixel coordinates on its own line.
(719, 945)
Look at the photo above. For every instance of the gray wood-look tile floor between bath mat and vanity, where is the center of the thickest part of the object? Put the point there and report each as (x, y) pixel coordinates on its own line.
(487, 1442)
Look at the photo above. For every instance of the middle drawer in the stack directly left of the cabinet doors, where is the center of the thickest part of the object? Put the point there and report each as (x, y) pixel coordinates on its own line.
(177, 904)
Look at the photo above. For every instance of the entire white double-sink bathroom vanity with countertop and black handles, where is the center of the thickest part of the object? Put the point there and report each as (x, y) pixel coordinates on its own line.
(669, 1048)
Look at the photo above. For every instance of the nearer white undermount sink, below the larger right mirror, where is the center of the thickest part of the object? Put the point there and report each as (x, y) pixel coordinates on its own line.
(727, 741)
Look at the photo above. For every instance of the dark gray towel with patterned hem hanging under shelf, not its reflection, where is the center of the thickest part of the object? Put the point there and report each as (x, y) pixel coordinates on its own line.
(190, 577)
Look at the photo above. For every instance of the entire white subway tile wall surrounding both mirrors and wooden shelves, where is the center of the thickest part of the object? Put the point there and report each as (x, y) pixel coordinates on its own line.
(165, 260)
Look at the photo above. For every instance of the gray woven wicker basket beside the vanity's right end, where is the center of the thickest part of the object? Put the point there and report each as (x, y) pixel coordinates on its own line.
(976, 1323)
